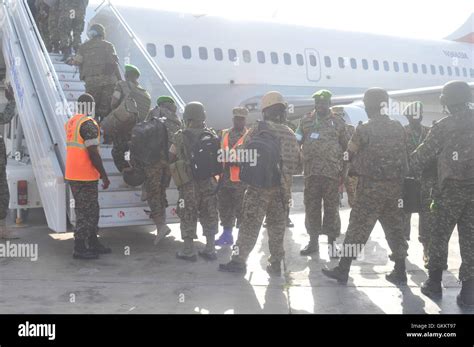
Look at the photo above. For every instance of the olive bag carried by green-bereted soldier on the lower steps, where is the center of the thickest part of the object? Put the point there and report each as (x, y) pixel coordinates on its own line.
(121, 120)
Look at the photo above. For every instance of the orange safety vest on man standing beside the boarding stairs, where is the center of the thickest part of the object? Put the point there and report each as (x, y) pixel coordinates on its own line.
(79, 166)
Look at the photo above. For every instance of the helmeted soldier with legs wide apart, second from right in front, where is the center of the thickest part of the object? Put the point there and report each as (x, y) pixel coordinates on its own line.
(378, 152)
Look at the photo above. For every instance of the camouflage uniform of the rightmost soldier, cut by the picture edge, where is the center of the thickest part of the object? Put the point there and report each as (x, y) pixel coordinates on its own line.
(451, 142)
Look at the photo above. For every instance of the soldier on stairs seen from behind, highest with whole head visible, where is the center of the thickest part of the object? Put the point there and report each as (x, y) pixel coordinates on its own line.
(98, 64)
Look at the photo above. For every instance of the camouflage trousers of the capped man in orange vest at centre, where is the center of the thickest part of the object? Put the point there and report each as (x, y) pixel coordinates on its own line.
(230, 198)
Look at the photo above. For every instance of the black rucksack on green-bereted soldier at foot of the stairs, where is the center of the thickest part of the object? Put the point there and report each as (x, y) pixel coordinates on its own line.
(149, 142)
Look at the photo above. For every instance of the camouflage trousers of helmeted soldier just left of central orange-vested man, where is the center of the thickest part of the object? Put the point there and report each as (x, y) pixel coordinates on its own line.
(198, 201)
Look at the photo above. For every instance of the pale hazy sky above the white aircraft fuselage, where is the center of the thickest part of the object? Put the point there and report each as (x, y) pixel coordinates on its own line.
(412, 18)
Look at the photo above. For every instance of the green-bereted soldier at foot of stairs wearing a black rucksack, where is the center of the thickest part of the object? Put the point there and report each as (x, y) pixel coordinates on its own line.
(158, 176)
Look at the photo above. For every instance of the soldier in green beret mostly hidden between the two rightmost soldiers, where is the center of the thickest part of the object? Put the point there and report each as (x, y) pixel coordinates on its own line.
(416, 134)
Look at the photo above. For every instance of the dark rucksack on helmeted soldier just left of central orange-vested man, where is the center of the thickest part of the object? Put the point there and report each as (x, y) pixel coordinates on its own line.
(203, 153)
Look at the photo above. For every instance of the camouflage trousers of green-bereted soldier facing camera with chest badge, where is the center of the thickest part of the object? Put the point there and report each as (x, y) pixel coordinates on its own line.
(319, 189)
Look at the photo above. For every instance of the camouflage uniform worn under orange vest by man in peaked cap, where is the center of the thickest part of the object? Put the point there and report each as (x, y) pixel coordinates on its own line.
(231, 194)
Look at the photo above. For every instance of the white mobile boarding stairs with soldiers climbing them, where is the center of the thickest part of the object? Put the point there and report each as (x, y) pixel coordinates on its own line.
(43, 87)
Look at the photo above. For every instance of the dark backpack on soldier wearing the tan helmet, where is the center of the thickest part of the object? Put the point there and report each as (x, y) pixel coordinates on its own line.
(266, 172)
